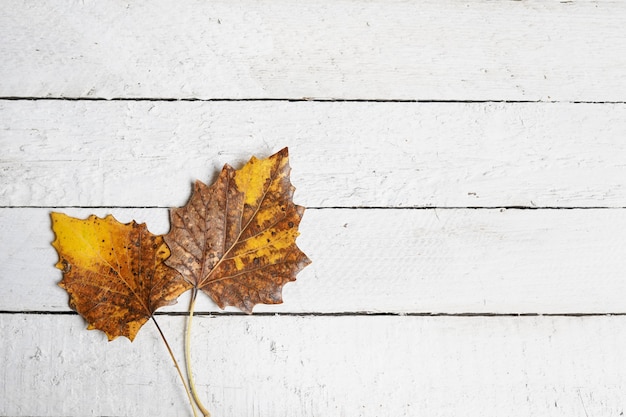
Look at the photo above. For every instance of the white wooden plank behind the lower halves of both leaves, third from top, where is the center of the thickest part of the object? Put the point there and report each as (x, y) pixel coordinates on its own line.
(400, 261)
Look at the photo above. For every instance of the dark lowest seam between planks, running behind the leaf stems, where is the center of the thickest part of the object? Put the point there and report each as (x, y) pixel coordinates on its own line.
(336, 314)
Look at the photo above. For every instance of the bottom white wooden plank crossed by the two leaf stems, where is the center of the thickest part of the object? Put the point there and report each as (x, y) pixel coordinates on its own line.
(321, 366)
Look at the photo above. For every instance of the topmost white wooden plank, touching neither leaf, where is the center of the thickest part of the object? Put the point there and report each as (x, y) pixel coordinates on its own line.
(443, 50)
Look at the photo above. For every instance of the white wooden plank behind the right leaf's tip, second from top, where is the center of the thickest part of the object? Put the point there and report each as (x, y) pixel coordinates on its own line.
(343, 154)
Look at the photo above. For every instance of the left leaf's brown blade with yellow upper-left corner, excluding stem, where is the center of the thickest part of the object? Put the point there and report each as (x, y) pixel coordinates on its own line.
(114, 272)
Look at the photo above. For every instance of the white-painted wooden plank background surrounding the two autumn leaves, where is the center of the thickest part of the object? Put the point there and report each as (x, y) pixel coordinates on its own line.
(464, 169)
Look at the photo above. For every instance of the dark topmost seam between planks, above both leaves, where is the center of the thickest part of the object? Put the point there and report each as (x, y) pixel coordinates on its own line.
(307, 99)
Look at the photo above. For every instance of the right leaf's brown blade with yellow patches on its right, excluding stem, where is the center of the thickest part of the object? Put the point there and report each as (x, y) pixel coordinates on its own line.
(235, 240)
